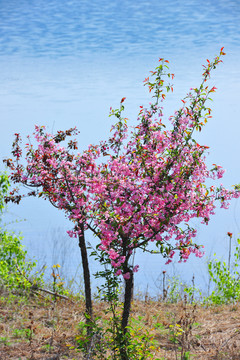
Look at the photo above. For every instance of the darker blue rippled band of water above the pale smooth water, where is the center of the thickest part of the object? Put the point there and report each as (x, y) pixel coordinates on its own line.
(77, 28)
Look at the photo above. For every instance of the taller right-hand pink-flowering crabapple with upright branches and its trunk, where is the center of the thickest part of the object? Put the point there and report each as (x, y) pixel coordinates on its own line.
(155, 182)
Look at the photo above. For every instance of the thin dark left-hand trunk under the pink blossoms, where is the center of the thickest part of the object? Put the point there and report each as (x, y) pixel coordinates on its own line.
(86, 274)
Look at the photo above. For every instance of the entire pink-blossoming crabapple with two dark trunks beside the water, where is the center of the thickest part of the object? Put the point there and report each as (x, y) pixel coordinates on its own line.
(142, 186)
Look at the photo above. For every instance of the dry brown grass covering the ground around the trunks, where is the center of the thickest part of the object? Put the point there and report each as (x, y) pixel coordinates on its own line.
(41, 329)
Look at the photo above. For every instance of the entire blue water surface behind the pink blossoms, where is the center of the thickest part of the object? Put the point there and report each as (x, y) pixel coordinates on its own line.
(64, 63)
